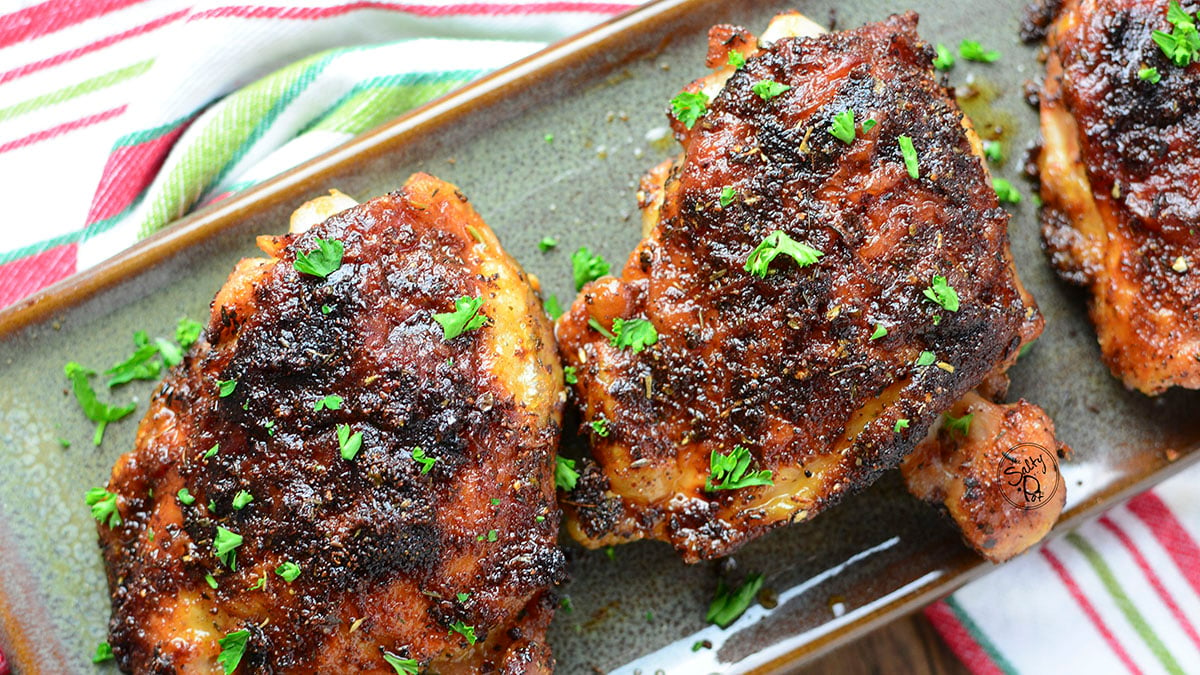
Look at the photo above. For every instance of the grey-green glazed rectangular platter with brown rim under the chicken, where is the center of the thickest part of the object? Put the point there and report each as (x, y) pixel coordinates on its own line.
(603, 97)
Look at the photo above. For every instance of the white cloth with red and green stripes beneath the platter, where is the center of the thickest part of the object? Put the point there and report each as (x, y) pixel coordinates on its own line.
(117, 117)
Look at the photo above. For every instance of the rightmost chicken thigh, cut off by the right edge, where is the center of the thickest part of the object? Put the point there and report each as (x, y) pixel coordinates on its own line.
(1121, 187)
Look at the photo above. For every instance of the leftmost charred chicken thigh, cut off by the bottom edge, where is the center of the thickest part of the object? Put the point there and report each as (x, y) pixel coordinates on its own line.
(385, 549)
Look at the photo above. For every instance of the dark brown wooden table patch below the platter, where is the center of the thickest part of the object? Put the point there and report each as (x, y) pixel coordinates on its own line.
(909, 646)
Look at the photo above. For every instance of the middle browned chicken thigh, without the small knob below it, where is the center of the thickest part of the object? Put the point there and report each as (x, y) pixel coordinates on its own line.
(784, 366)
